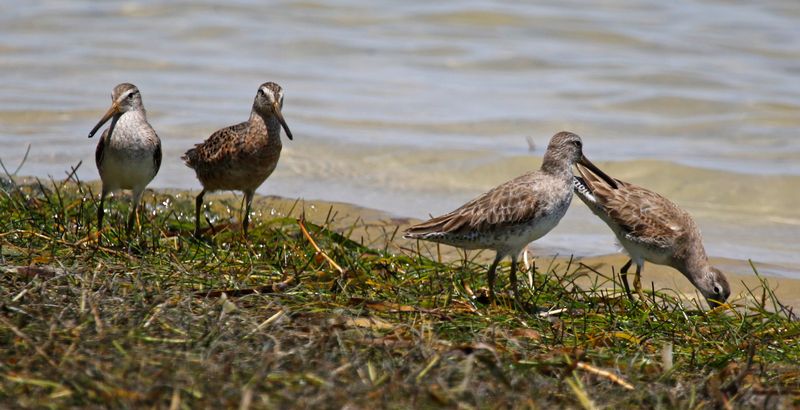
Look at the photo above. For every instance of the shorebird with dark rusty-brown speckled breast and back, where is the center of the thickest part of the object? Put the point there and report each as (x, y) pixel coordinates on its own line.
(240, 157)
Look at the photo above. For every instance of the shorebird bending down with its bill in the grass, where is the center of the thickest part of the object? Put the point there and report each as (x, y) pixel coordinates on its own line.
(652, 228)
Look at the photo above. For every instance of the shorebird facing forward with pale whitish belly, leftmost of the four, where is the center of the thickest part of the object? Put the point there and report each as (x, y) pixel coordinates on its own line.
(128, 154)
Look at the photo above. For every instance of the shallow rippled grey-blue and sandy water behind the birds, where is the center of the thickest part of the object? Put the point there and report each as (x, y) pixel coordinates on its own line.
(415, 108)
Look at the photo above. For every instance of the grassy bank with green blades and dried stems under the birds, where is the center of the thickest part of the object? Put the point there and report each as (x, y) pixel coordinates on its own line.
(304, 314)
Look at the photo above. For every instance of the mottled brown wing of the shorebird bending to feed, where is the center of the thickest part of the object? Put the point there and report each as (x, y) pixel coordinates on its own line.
(642, 215)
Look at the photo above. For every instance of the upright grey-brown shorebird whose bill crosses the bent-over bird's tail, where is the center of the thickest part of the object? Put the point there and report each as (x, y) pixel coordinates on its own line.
(515, 213)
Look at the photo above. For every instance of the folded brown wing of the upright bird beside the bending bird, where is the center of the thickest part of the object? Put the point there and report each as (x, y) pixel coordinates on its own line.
(508, 204)
